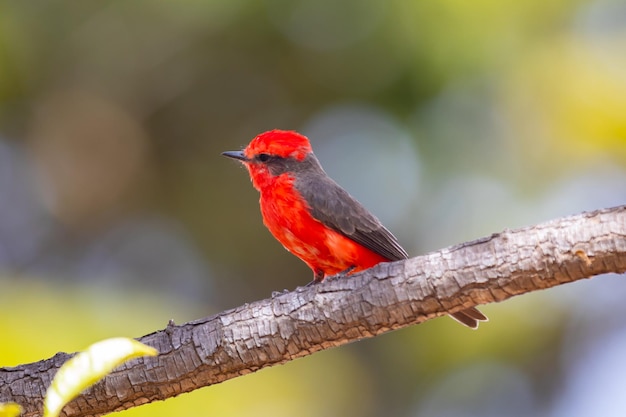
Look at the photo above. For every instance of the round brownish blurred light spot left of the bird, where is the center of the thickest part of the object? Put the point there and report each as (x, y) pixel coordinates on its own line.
(91, 157)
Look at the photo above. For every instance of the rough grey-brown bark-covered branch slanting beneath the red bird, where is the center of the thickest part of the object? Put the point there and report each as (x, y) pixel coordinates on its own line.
(298, 323)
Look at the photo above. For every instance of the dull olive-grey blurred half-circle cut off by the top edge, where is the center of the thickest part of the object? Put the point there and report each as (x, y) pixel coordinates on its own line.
(326, 24)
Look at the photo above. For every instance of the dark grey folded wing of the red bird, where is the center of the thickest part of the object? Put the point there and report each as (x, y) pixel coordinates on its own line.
(333, 206)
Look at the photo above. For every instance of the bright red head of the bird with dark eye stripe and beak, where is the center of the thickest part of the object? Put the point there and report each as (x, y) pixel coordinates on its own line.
(271, 154)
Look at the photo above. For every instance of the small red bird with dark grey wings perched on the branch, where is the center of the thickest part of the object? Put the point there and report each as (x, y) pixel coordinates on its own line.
(313, 217)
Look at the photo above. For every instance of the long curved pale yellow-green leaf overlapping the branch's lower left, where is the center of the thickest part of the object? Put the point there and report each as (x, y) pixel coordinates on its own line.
(88, 367)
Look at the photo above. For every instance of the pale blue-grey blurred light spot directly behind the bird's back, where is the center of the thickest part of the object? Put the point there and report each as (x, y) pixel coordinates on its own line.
(371, 156)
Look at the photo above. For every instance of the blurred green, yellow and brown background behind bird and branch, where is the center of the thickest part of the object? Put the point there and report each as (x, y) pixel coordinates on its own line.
(449, 119)
